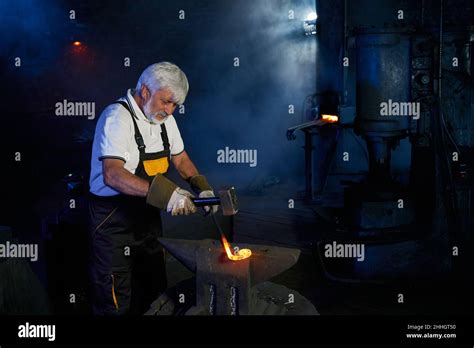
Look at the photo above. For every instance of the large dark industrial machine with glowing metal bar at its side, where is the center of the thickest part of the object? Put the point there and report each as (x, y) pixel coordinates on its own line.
(397, 174)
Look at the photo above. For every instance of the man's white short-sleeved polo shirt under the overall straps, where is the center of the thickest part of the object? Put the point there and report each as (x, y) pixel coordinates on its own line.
(114, 138)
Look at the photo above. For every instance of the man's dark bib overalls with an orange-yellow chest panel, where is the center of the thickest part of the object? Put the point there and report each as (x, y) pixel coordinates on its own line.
(127, 262)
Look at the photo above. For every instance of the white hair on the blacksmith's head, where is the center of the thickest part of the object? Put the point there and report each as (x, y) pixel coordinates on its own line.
(165, 75)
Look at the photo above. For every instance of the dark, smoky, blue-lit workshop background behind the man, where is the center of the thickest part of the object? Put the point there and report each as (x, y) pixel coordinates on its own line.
(247, 107)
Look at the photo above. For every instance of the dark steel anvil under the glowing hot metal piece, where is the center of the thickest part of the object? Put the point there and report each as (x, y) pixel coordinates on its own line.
(222, 285)
